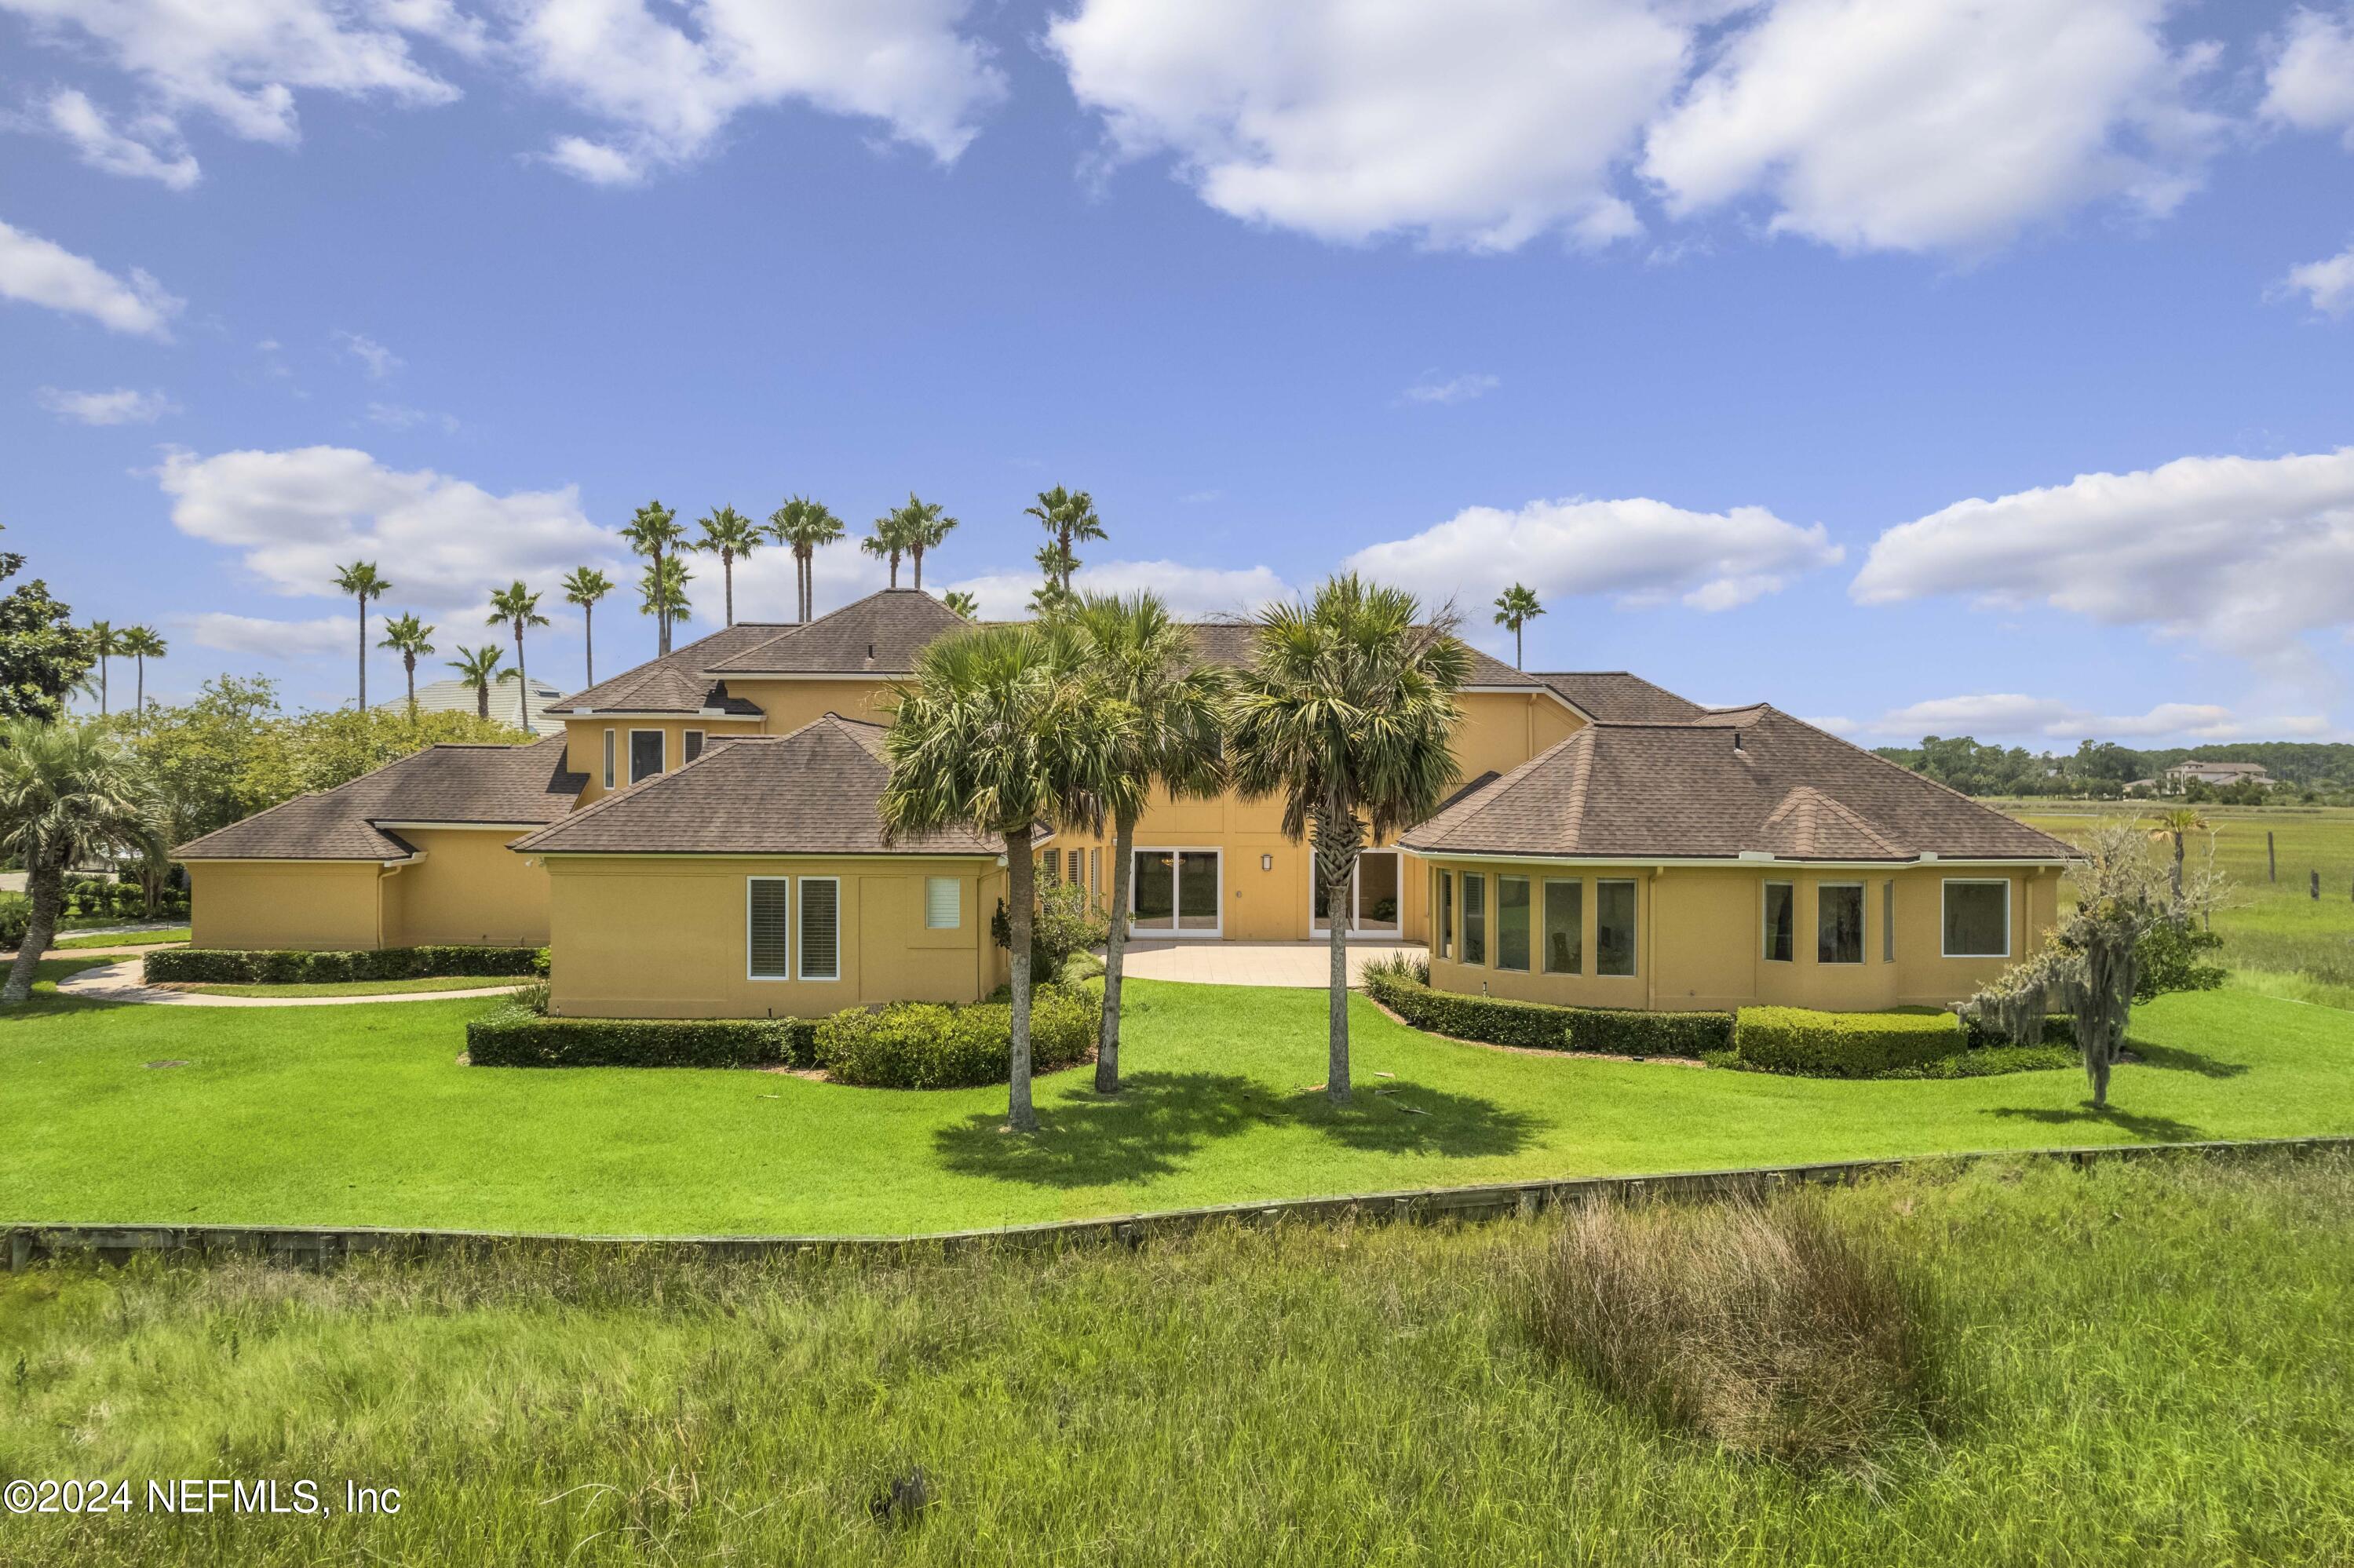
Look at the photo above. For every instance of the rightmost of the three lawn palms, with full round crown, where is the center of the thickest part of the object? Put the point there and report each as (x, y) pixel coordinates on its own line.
(1348, 712)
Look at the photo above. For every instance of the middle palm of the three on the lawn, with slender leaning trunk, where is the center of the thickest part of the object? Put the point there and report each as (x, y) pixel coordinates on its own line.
(1145, 660)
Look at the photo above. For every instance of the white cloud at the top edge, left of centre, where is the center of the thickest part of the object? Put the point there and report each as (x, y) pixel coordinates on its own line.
(672, 91)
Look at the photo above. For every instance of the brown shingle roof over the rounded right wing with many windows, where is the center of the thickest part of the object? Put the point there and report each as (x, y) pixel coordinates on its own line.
(1684, 790)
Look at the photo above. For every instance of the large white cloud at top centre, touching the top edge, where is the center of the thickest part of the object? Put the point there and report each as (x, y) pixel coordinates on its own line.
(1472, 126)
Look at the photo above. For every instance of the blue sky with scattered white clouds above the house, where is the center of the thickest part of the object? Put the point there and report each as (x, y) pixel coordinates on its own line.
(1915, 366)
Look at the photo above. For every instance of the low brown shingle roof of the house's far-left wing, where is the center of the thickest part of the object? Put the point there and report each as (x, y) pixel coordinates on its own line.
(458, 785)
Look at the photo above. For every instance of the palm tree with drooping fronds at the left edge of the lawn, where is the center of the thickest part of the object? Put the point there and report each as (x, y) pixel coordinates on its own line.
(67, 792)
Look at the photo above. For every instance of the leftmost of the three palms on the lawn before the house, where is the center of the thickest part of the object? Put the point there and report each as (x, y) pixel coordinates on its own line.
(999, 731)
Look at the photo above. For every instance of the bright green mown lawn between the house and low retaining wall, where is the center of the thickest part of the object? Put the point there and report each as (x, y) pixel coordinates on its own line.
(364, 1117)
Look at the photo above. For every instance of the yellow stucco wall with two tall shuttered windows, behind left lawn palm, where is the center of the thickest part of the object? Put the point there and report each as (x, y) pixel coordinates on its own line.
(665, 936)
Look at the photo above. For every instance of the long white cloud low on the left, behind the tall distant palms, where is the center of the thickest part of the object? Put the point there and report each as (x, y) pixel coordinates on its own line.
(295, 517)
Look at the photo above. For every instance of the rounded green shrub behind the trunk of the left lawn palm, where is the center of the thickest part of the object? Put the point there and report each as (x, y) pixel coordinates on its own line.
(955, 1047)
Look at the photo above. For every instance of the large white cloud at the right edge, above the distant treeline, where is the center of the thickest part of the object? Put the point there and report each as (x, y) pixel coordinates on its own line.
(2237, 552)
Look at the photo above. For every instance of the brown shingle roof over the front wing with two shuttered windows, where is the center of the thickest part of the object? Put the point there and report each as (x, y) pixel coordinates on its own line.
(811, 792)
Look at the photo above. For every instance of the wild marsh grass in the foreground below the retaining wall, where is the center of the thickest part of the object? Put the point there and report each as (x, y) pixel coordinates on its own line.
(2148, 1367)
